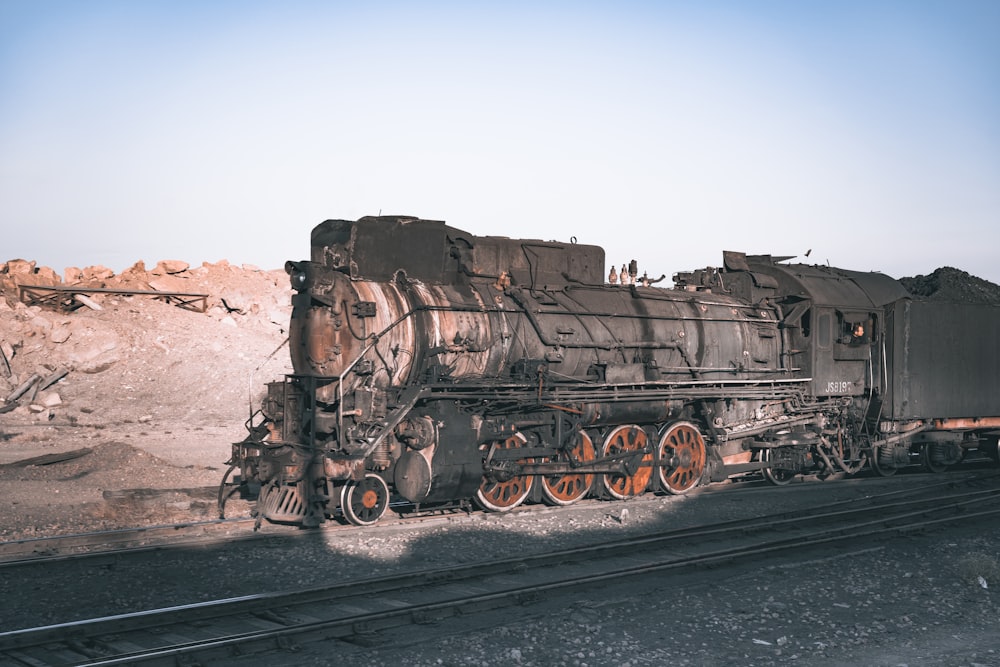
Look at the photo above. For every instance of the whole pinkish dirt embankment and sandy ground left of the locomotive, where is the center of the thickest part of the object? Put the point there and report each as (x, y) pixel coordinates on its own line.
(151, 393)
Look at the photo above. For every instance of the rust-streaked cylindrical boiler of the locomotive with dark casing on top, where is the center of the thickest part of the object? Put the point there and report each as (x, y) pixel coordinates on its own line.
(474, 326)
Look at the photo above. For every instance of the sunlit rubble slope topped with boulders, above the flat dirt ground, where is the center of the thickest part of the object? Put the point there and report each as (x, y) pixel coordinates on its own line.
(129, 356)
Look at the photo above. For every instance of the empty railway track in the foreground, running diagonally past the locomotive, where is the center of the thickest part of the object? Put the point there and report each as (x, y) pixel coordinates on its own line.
(352, 610)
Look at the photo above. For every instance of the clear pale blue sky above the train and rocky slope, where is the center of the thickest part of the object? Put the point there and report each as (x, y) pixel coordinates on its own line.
(666, 132)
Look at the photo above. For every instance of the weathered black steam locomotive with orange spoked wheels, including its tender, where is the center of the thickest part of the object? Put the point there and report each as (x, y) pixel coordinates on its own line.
(440, 367)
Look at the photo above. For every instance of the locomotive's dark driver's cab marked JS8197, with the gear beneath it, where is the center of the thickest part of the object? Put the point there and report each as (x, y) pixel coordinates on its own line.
(833, 333)
